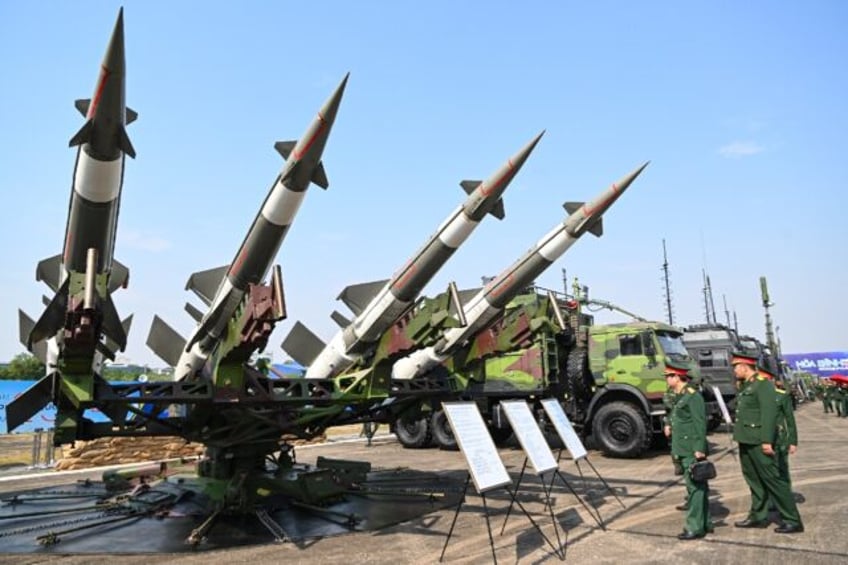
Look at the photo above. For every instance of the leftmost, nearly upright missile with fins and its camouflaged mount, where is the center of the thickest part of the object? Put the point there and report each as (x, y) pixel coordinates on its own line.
(80, 325)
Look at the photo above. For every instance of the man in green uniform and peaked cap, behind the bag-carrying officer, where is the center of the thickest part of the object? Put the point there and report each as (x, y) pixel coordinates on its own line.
(755, 431)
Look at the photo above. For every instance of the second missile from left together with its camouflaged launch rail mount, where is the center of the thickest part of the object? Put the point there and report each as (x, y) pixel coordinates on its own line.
(225, 289)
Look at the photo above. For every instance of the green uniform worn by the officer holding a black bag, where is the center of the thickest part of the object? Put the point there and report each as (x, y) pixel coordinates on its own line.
(688, 435)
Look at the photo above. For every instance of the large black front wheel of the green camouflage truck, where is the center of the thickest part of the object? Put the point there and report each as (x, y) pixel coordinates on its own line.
(621, 430)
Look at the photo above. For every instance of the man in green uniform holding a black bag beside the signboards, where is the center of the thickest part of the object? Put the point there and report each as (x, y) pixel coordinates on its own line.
(688, 425)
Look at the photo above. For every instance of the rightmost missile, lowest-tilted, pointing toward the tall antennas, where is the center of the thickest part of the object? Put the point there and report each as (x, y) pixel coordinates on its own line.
(487, 305)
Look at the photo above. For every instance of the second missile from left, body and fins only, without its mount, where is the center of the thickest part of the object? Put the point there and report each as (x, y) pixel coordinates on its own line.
(223, 289)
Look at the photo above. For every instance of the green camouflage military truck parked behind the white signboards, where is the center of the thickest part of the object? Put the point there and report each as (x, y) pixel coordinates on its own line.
(609, 377)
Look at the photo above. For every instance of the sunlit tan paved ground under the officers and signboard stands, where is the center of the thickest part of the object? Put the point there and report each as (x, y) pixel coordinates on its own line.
(644, 531)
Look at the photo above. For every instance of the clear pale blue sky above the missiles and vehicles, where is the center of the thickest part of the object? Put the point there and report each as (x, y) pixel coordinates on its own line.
(739, 106)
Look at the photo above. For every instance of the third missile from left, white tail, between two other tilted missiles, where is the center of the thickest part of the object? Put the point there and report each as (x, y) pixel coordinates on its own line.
(377, 305)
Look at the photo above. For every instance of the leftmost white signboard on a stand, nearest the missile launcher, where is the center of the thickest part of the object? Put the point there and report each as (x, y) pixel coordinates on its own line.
(484, 463)
